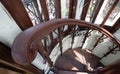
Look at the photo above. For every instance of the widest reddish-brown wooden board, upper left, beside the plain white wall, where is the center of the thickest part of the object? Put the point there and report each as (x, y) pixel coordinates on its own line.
(18, 12)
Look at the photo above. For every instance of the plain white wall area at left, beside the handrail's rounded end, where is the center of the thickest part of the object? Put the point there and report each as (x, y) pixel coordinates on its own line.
(8, 27)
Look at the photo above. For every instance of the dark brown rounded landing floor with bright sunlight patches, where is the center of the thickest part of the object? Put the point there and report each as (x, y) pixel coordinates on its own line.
(78, 60)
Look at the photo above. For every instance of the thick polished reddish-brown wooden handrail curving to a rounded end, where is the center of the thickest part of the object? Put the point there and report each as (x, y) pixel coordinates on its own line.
(25, 46)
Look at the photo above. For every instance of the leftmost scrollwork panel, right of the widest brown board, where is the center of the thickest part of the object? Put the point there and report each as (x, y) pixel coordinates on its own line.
(33, 11)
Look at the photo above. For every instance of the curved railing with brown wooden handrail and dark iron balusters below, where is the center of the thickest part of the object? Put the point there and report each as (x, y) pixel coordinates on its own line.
(37, 39)
